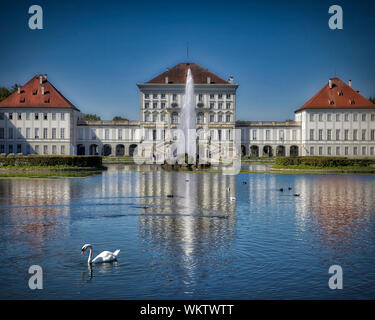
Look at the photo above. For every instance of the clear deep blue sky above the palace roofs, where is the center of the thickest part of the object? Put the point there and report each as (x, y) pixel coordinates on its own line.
(280, 52)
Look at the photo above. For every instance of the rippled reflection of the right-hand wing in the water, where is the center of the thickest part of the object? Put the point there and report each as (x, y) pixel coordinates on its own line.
(338, 206)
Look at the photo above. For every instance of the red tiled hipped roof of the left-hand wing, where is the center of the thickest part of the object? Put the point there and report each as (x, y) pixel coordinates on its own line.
(31, 96)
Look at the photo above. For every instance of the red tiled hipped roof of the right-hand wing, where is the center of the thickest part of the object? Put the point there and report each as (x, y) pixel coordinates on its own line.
(340, 96)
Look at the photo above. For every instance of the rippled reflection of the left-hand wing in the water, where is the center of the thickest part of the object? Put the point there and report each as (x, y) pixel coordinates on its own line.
(36, 207)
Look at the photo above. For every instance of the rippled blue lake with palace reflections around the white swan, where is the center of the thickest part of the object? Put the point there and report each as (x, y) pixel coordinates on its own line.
(197, 244)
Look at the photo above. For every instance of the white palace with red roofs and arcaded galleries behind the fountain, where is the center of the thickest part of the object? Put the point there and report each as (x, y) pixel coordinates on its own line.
(38, 119)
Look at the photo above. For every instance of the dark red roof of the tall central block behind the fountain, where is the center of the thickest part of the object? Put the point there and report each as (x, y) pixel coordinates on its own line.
(178, 73)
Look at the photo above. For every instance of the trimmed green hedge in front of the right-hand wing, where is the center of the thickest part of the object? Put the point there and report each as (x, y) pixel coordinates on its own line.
(323, 161)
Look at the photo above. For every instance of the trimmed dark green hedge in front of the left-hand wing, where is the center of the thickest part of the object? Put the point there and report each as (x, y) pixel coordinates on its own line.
(41, 161)
